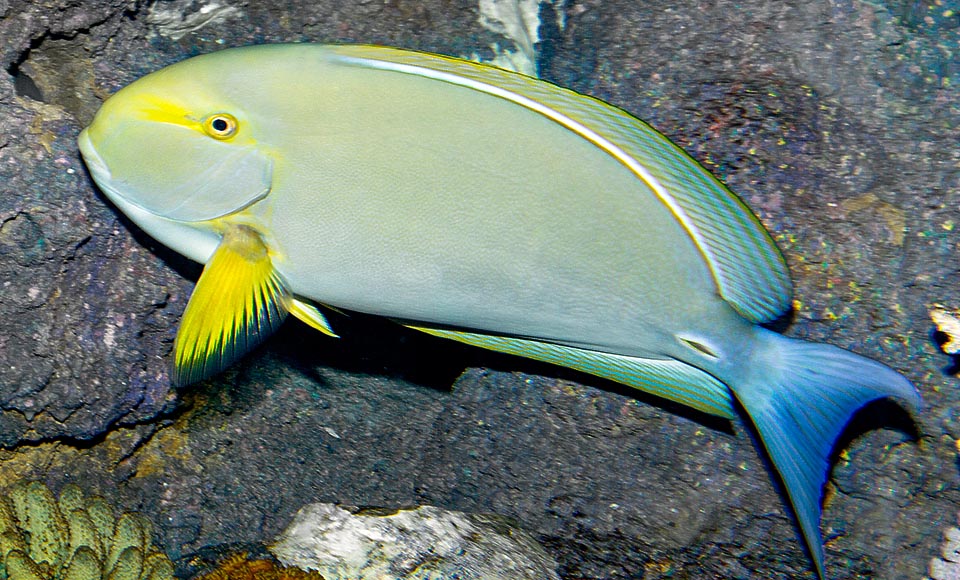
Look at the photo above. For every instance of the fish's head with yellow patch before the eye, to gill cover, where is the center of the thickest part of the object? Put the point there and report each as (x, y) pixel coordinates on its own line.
(177, 149)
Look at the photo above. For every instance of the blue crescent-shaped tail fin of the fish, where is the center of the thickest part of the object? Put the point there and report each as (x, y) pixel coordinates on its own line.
(800, 395)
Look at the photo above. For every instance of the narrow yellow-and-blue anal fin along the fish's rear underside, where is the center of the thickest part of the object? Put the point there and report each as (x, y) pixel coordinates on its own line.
(670, 379)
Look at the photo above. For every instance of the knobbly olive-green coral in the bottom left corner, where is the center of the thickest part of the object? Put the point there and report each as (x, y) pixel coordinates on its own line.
(73, 538)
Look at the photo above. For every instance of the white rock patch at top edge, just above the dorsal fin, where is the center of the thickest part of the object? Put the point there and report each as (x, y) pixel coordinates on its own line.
(518, 21)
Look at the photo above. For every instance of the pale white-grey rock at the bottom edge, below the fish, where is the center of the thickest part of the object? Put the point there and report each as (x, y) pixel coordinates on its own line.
(424, 543)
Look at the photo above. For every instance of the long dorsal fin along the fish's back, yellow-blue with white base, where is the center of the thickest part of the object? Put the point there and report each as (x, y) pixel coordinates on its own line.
(749, 270)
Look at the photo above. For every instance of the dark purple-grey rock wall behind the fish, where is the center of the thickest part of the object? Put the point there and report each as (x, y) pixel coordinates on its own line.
(837, 122)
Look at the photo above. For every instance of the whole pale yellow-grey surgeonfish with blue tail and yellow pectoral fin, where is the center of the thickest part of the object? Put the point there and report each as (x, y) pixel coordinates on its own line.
(474, 204)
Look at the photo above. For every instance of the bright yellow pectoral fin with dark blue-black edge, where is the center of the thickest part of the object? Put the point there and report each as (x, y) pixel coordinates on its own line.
(238, 301)
